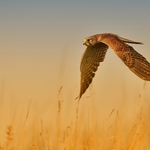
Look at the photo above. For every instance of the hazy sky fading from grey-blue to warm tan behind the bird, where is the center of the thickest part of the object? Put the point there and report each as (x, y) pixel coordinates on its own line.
(41, 48)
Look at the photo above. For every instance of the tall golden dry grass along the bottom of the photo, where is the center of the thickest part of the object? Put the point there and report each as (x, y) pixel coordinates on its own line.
(78, 132)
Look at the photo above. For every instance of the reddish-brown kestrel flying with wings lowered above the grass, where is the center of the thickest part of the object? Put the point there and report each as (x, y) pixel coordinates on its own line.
(95, 52)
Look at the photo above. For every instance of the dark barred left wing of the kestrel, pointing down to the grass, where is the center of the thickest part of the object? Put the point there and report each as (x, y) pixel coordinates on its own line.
(91, 59)
